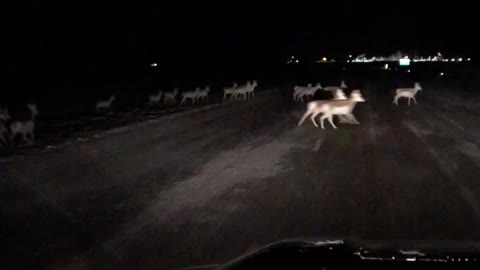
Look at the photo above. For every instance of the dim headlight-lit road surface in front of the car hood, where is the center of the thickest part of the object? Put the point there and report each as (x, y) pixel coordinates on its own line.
(203, 187)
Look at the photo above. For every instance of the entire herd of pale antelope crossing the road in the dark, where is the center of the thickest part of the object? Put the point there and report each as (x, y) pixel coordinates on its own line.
(340, 105)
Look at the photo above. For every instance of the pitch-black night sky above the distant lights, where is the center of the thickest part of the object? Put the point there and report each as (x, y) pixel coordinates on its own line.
(64, 38)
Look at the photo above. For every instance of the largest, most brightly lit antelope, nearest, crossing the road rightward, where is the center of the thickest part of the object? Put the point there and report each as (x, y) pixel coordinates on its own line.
(329, 108)
